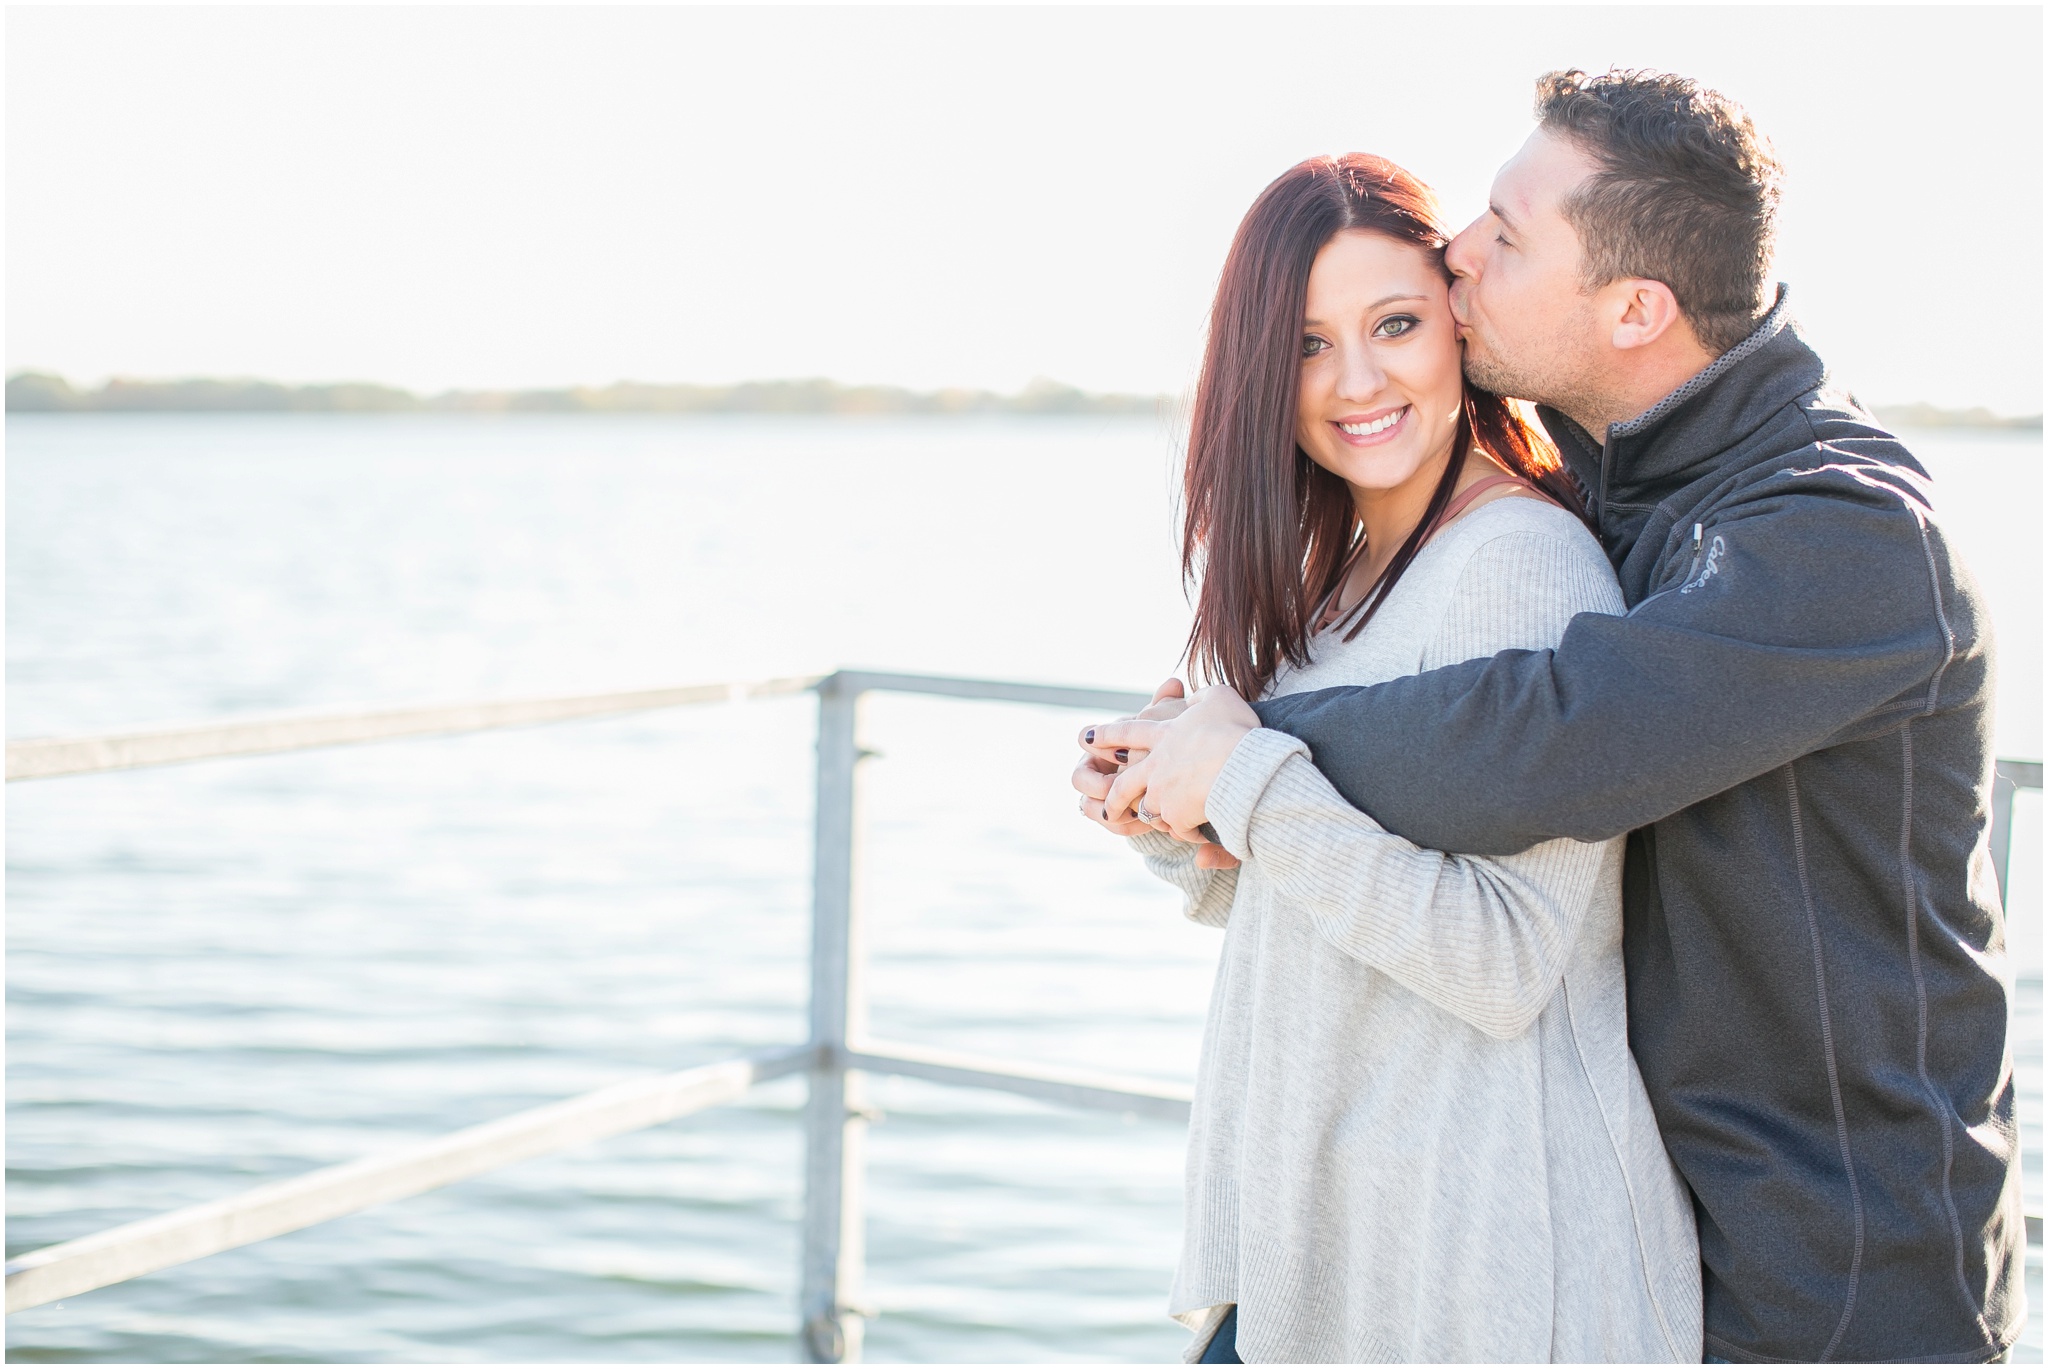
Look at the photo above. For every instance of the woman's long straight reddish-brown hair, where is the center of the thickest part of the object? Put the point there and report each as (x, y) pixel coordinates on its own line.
(1267, 530)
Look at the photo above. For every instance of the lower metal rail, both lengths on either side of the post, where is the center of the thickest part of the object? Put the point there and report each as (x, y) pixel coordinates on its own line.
(290, 1206)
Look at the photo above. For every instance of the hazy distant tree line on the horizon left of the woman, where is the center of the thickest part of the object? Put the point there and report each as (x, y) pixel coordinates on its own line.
(34, 392)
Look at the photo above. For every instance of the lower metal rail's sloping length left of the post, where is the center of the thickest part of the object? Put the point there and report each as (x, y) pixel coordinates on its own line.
(273, 1210)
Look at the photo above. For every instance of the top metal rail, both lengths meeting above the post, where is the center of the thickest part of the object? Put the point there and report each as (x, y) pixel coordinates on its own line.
(257, 737)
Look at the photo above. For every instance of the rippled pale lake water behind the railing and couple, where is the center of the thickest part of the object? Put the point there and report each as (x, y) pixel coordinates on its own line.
(234, 972)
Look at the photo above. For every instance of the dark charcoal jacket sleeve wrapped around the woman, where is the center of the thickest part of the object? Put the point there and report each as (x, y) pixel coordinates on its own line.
(1814, 612)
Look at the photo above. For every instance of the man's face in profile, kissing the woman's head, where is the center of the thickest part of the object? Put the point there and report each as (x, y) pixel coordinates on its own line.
(1521, 300)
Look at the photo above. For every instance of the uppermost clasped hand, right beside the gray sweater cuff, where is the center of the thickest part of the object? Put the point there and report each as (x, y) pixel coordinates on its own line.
(1175, 763)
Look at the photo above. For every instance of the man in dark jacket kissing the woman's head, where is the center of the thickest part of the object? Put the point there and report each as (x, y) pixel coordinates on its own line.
(1793, 722)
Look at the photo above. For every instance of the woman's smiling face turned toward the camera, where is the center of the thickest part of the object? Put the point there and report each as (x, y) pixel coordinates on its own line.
(1381, 378)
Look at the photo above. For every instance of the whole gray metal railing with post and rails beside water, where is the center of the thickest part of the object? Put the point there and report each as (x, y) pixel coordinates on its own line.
(835, 1059)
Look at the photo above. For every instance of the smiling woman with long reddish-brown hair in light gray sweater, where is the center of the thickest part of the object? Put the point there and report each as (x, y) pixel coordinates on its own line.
(1418, 1132)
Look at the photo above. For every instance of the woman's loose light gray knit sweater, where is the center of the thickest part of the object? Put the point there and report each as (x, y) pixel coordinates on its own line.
(1418, 1132)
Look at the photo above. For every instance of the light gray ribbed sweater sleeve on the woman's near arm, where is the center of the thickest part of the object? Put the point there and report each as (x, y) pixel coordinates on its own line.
(1484, 938)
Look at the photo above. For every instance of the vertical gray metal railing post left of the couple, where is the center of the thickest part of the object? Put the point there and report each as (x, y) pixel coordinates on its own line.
(835, 1126)
